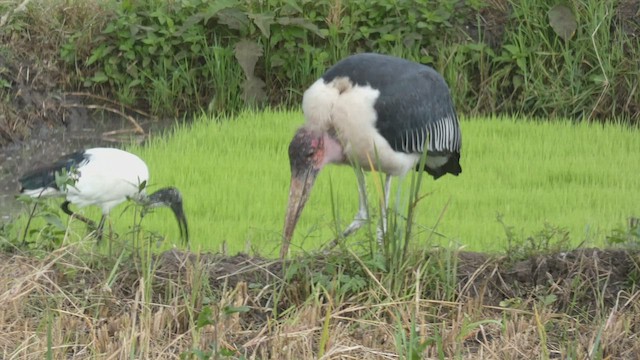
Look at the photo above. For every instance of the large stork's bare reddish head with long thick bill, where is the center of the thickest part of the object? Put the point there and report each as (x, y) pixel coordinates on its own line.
(309, 151)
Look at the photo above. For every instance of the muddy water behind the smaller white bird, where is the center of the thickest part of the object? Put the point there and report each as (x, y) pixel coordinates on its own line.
(46, 144)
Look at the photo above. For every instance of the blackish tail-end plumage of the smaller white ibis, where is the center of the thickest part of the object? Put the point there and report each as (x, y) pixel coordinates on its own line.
(45, 176)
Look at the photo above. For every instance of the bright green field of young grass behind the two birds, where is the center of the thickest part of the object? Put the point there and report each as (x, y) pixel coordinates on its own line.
(235, 178)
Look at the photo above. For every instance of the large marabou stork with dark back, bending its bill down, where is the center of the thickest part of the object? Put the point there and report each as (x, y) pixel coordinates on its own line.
(371, 109)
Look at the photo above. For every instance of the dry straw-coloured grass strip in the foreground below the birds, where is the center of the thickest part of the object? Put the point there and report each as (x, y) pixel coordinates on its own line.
(75, 305)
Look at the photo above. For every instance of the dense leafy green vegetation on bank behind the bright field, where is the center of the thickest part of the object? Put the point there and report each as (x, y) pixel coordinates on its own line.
(540, 59)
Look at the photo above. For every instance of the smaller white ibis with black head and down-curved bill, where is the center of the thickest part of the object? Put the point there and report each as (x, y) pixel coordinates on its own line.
(104, 177)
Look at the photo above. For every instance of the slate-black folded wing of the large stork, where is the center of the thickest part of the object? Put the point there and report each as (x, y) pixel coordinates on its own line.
(414, 106)
